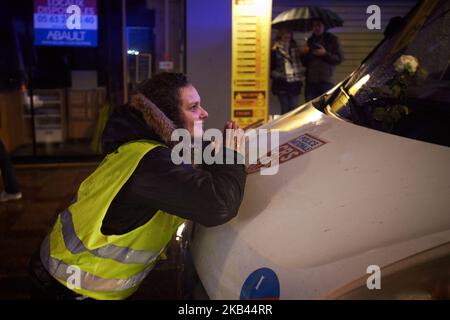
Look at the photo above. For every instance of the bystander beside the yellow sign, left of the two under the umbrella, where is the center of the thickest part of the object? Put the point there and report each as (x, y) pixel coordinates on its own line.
(285, 70)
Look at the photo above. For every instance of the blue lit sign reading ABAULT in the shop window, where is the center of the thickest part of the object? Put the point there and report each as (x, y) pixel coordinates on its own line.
(65, 23)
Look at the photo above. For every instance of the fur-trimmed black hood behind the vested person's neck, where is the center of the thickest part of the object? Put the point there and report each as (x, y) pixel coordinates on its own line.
(138, 119)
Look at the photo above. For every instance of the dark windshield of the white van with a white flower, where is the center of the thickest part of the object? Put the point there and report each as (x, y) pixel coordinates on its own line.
(403, 87)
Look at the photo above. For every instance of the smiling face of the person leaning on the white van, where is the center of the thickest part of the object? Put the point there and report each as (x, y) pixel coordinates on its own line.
(192, 112)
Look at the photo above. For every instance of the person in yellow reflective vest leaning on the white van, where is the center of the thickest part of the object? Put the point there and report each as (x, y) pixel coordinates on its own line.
(109, 238)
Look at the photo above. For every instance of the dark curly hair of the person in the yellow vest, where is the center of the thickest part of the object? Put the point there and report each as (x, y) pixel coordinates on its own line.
(163, 89)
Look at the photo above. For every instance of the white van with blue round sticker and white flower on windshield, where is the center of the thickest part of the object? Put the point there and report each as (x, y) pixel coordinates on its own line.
(360, 205)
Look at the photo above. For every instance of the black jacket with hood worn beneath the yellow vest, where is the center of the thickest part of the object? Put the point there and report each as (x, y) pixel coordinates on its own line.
(209, 194)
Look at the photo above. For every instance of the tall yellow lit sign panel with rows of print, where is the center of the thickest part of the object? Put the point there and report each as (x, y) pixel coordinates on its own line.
(250, 61)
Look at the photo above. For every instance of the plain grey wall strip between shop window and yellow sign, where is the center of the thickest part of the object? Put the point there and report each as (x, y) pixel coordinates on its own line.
(208, 56)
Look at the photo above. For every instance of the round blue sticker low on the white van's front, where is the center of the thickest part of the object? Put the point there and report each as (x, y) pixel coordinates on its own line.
(261, 284)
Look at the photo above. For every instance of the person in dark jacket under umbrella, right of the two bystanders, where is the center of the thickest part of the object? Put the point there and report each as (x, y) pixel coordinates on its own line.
(320, 55)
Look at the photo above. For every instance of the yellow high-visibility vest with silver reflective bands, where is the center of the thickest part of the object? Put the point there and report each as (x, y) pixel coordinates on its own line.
(79, 256)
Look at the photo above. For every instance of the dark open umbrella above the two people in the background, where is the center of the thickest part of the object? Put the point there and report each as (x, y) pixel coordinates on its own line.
(299, 19)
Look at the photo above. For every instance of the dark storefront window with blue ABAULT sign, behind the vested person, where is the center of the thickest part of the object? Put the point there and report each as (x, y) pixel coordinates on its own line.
(66, 69)
